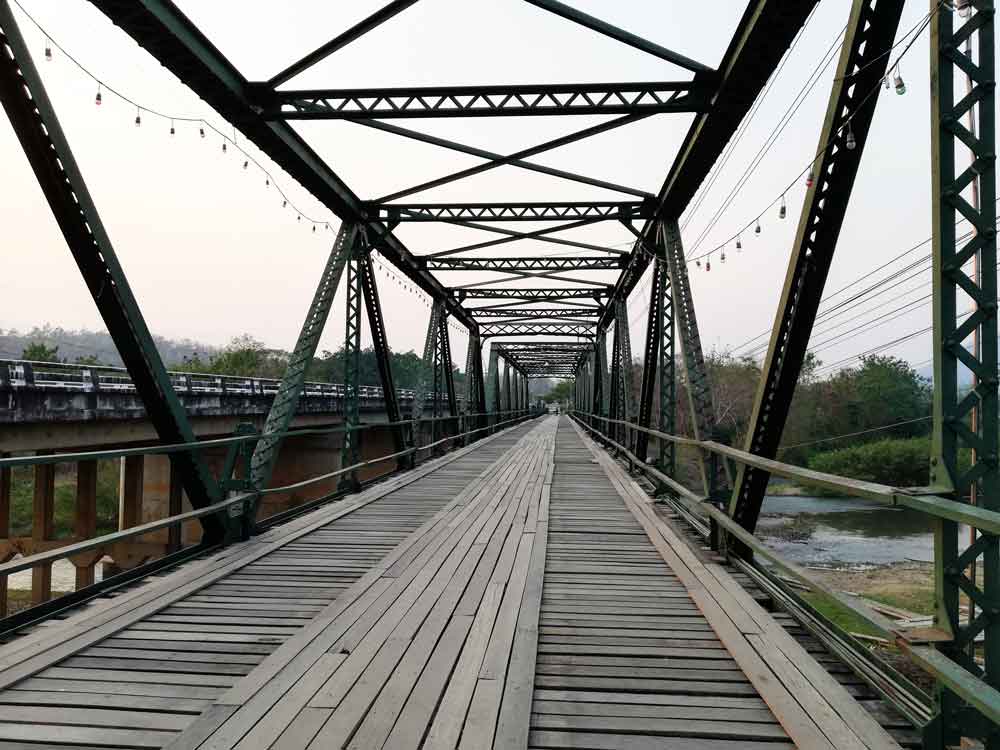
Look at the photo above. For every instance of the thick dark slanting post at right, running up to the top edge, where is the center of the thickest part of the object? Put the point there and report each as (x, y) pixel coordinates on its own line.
(864, 57)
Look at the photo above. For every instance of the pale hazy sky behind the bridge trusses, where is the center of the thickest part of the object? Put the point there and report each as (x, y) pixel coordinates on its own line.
(211, 253)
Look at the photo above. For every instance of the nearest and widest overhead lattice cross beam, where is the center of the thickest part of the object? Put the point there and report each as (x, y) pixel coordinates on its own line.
(483, 101)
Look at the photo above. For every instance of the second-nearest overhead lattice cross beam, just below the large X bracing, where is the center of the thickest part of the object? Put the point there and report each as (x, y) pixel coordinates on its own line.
(539, 211)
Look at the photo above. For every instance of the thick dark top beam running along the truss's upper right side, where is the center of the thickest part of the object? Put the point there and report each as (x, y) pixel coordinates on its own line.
(763, 35)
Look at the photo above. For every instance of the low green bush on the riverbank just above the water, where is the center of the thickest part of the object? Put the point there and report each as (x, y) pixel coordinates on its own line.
(898, 462)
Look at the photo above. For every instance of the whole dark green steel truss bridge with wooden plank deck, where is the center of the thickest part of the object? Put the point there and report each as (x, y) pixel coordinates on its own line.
(523, 589)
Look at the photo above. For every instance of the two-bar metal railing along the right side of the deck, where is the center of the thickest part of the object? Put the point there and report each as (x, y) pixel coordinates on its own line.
(915, 645)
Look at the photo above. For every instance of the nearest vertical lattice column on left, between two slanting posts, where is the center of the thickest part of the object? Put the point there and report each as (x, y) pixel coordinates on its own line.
(350, 452)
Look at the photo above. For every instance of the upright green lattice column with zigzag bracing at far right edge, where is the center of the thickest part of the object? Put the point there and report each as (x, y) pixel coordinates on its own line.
(952, 143)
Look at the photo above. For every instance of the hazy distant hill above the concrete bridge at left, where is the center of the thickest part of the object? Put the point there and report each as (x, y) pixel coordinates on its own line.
(74, 345)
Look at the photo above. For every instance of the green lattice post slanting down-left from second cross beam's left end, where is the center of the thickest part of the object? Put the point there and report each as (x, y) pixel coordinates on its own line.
(282, 411)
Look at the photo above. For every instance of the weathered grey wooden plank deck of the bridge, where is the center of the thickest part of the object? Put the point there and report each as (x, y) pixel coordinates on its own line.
(518, 593)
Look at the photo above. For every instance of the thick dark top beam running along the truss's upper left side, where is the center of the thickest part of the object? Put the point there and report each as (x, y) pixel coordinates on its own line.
(172, 39)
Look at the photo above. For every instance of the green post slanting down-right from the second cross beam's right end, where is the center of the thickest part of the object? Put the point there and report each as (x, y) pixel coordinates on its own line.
(696, 382)
